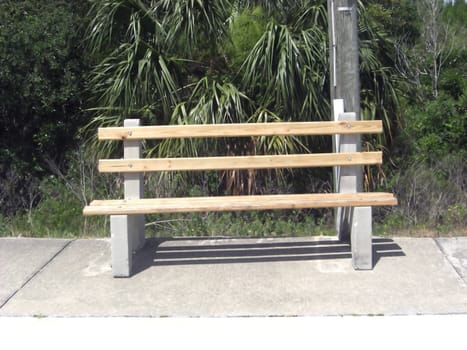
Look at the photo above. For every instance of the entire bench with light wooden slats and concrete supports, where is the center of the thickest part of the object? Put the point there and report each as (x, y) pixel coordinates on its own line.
(353, 216)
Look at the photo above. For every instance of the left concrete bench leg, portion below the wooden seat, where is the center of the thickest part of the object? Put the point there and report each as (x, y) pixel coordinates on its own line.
(127, 236)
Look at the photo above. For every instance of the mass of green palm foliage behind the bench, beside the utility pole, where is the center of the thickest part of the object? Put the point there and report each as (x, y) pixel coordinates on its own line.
(176, 61)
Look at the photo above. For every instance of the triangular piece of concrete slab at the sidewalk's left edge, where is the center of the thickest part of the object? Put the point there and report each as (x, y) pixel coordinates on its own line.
(21, 259)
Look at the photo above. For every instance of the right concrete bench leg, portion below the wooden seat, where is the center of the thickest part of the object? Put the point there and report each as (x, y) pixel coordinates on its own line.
(361, 238)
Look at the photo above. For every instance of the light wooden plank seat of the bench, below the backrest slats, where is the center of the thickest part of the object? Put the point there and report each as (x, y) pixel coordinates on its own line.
(235, 203)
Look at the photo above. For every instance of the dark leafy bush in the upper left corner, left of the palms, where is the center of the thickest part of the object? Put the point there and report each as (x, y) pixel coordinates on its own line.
(42, 68)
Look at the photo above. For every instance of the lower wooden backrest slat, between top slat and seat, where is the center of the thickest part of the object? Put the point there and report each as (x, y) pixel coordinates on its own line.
(240, 162)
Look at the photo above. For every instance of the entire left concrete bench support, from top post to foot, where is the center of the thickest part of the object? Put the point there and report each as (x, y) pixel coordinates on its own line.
(127, 231)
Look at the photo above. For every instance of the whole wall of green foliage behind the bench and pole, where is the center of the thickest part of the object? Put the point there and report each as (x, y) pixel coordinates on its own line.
(62, 74)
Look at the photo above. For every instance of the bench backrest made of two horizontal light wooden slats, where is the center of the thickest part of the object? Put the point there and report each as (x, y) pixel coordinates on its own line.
(132, 164)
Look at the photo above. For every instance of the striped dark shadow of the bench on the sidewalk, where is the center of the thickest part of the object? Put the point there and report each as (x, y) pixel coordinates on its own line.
(183, 251)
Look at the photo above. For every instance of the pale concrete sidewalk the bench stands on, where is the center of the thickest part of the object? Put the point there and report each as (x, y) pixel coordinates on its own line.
(303, 276)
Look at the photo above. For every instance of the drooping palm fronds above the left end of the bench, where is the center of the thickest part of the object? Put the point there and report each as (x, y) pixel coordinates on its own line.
(146, 45)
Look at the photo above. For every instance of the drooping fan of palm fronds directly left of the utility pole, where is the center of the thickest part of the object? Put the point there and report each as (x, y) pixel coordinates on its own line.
(286, 69)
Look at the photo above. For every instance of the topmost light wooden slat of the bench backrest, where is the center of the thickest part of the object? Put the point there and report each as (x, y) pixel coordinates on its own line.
(241, 130)
